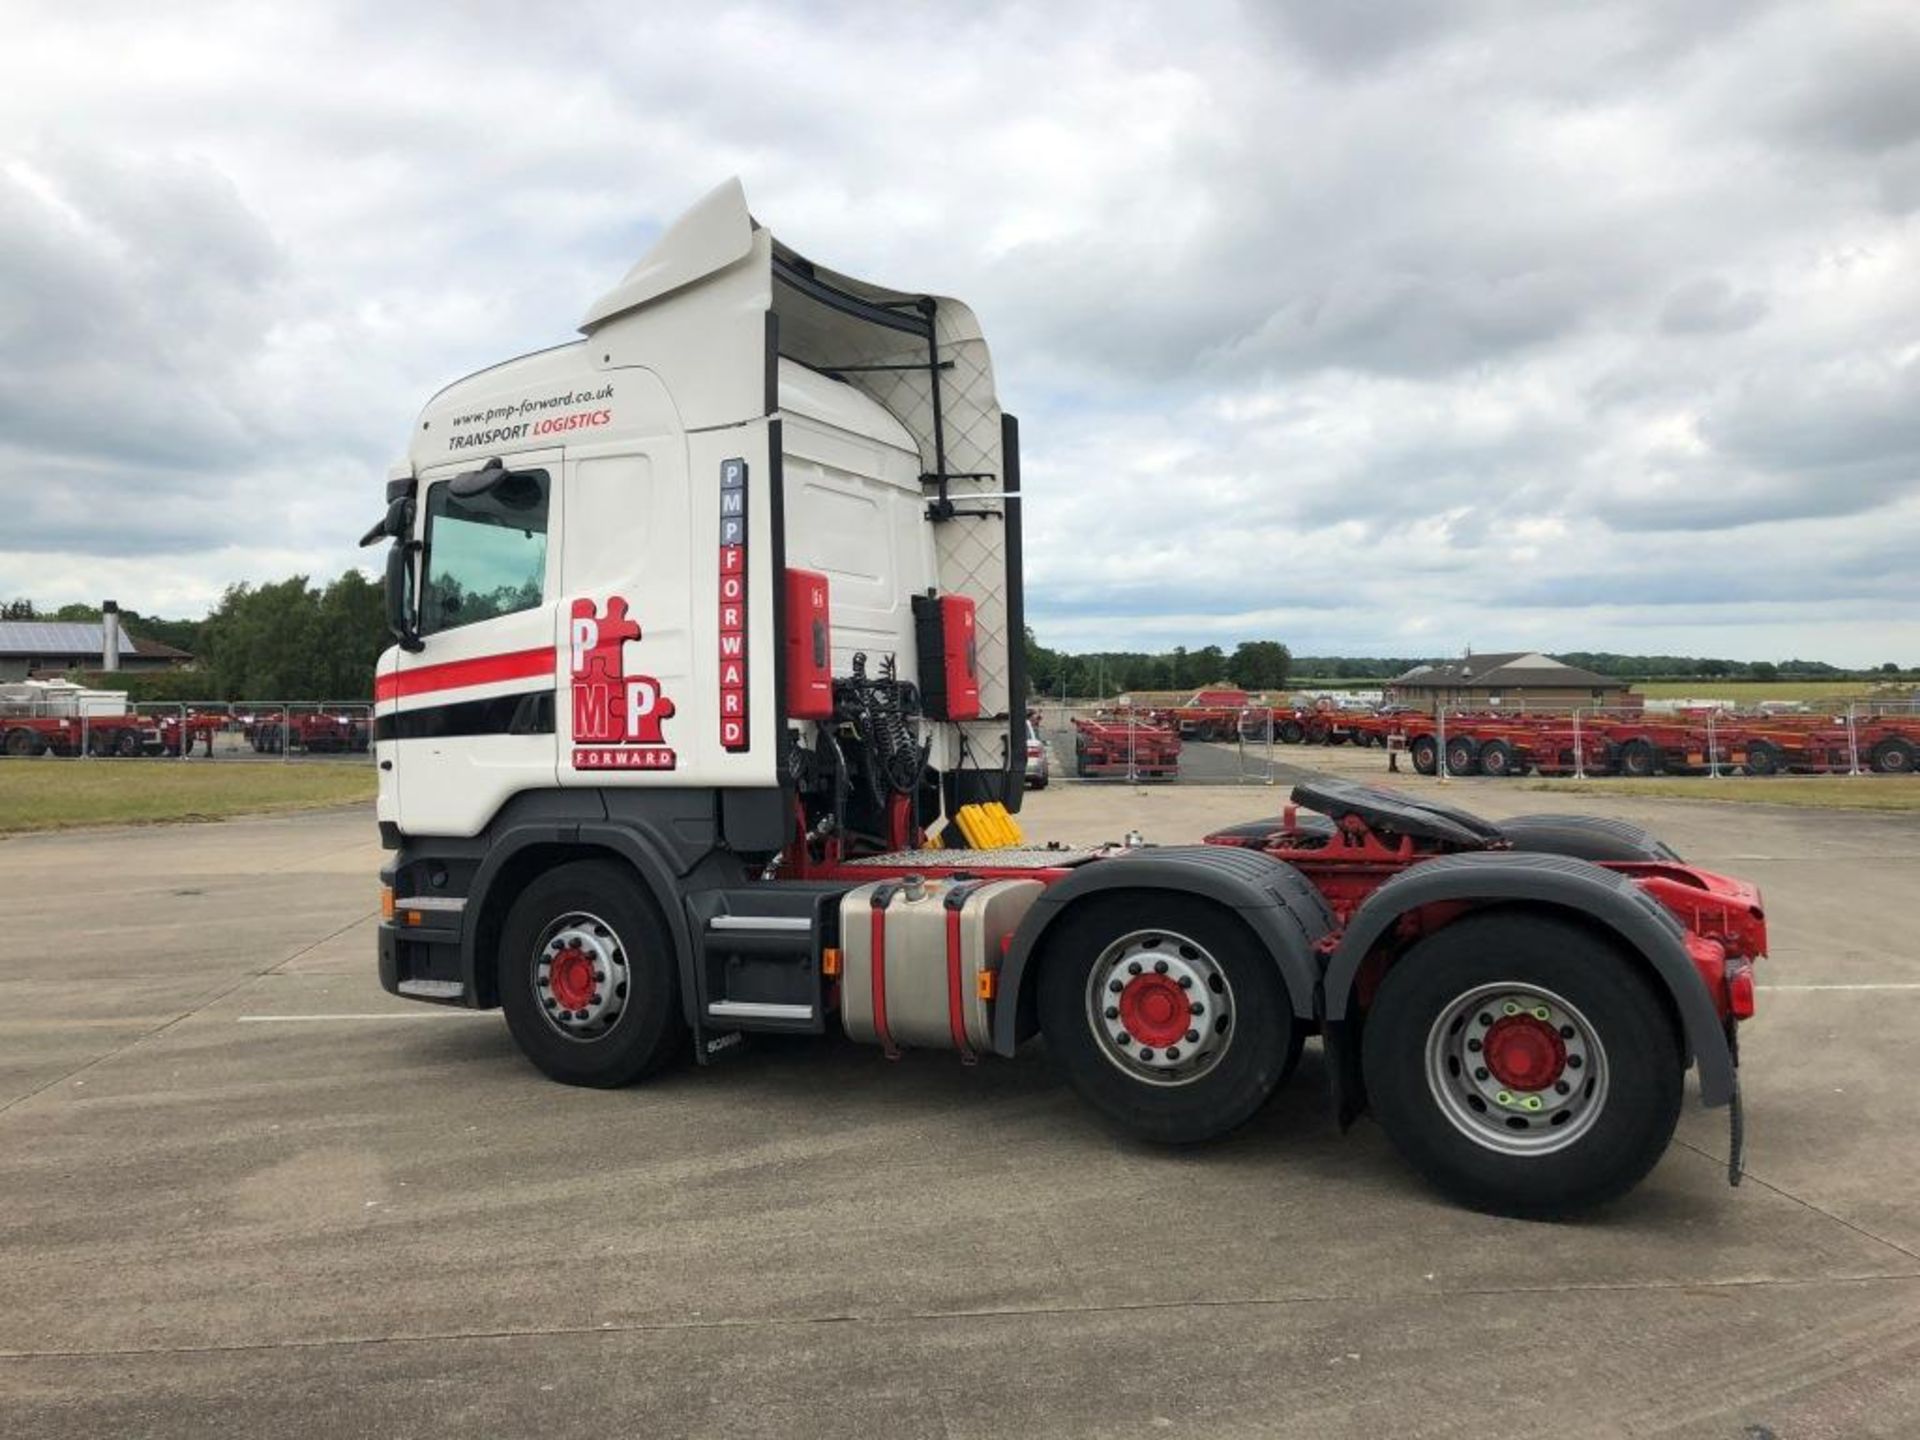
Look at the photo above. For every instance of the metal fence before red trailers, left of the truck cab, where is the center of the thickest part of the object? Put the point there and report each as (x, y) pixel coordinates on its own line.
(189, 731)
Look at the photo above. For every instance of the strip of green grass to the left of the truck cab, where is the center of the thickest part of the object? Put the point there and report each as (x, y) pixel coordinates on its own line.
(60, 794)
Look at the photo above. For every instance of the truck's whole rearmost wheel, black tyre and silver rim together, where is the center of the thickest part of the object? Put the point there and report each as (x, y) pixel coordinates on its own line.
(1524, 1067)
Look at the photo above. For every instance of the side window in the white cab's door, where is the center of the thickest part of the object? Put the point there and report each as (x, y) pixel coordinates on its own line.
(487, 556)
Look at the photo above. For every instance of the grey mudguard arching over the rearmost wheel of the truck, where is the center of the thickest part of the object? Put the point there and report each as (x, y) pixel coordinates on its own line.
(1554, 880)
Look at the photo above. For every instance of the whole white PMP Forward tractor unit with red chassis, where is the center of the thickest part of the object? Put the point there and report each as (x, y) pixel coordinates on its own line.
(706, 717)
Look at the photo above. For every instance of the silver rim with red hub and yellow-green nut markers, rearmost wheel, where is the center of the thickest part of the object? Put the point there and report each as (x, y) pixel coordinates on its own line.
(1514, 1115)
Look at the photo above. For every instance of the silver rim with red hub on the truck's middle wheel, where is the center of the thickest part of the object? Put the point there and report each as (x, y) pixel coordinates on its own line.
(1136, 1017)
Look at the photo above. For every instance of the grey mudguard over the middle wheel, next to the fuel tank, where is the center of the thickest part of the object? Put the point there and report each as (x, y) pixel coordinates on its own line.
(1276, 901)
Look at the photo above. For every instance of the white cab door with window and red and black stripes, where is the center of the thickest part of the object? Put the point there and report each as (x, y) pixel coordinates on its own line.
(473, 708)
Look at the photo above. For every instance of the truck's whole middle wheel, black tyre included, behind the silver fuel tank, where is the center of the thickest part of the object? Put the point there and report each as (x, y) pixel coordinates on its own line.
(1166, 1015)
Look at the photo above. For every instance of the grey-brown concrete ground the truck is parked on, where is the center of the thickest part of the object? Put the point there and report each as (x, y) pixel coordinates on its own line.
(247, 1193)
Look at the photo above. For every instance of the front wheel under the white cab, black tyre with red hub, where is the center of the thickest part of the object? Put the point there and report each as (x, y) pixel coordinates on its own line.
(588, 976)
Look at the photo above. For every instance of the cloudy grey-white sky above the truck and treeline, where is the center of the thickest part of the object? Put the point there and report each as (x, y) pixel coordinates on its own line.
(1376, 329)
